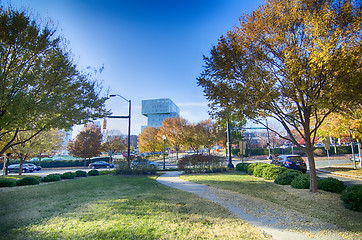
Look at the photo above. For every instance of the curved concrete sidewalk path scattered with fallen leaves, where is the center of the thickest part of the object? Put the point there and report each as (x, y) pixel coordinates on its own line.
(269, 217)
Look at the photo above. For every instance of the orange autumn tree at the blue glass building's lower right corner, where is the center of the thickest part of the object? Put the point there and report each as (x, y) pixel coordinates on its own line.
(175, 131)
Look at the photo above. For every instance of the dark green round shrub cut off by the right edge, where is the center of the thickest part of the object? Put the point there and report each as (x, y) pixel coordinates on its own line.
(352, 198)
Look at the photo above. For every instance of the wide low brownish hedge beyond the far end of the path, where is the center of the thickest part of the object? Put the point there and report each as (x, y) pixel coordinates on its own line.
(196, 161)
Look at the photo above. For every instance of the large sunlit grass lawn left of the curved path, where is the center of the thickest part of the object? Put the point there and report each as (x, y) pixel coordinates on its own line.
(114, 207)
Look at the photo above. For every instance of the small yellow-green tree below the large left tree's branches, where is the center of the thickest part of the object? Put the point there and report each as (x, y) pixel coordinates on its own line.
(45, 142)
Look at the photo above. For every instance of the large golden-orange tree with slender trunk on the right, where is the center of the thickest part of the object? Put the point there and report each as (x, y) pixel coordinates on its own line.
(295, 61)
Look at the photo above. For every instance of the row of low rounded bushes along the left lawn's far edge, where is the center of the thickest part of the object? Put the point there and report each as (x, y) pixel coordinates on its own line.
(5, 182)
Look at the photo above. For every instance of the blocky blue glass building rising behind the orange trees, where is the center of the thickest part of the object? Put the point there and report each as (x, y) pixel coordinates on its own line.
(157, 110)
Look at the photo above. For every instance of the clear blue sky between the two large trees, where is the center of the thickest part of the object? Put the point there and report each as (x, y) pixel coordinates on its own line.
(149, 48)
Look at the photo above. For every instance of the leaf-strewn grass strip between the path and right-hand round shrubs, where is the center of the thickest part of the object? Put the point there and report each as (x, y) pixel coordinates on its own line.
(323, 205)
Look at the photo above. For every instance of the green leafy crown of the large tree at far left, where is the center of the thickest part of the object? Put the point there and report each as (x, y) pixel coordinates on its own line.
(41, 87)
